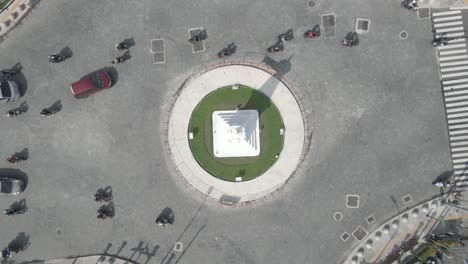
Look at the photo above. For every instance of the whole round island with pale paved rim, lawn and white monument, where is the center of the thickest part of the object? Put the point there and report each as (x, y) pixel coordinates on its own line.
(236, 179)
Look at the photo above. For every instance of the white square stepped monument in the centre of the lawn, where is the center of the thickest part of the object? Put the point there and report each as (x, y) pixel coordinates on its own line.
(236, 133)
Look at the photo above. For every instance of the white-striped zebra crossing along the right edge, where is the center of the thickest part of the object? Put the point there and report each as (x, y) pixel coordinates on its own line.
(453, 65)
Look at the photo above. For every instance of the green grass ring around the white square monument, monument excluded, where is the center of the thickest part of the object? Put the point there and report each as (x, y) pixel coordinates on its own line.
(270, 123)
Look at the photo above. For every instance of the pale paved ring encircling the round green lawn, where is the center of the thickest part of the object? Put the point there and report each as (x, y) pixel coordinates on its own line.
(193, 91)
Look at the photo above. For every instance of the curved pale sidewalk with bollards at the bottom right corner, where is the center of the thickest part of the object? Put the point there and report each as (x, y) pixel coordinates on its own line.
(405, 231)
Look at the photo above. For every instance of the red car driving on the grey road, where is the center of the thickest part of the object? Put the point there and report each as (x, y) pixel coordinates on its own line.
(91, 84)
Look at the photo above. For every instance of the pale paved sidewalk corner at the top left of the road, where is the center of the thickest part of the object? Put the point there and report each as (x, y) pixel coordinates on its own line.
(13, 13)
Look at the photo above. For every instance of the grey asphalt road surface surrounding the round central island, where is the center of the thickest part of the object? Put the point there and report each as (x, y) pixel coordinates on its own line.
(379, 129)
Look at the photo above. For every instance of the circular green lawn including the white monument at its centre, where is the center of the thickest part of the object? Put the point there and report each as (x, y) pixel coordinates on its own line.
(236, 133)
